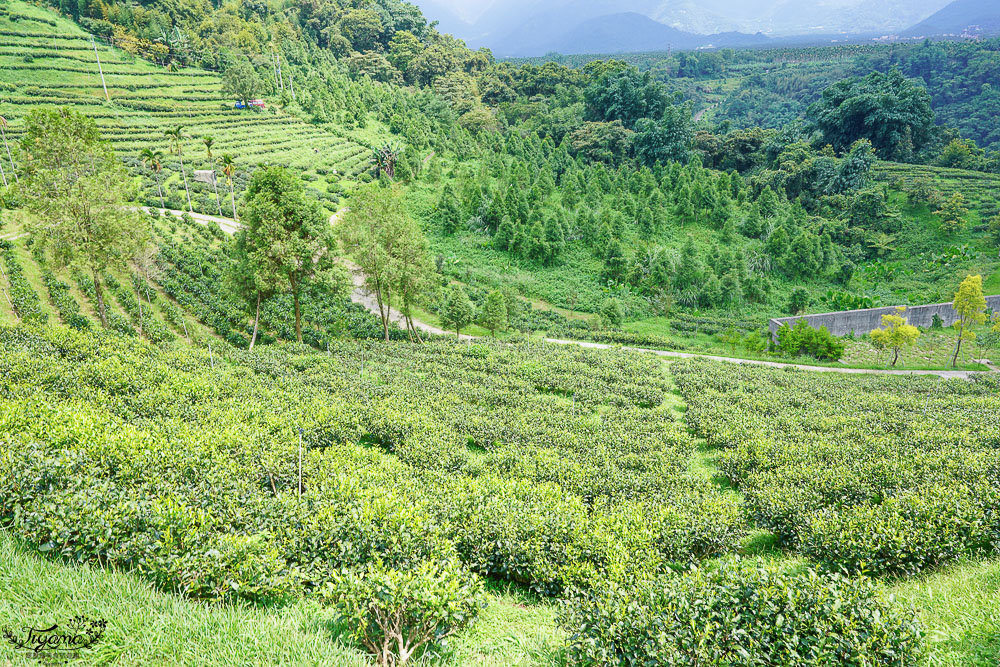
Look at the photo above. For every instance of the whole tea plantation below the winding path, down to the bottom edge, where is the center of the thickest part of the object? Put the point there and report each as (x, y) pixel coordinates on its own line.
(453, 478)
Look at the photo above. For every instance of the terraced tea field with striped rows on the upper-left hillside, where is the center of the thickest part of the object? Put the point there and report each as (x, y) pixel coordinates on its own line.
(46, 60)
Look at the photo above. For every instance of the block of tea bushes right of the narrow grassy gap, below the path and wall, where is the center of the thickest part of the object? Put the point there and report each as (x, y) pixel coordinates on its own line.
(876, 475)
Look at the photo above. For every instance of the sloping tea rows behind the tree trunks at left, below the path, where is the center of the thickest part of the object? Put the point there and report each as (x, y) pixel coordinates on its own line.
(182, 299)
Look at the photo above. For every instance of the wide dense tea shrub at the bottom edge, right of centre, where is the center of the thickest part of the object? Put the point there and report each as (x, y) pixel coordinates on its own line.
(742, 614)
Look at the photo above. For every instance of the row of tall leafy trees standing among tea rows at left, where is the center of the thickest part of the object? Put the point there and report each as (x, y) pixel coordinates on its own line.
(80, 195)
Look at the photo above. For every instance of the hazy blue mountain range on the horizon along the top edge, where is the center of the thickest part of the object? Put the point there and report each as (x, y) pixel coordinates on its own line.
(536, 27)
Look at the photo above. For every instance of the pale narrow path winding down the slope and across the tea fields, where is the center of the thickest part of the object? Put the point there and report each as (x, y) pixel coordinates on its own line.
(361, 296)
